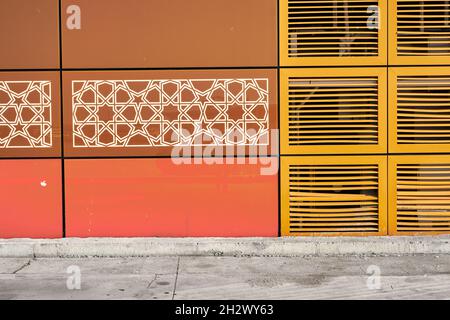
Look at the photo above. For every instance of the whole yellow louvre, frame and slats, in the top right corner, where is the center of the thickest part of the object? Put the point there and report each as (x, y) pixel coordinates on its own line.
(420, 32)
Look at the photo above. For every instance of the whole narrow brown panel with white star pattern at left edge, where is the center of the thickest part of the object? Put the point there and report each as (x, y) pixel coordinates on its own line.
(29, 114)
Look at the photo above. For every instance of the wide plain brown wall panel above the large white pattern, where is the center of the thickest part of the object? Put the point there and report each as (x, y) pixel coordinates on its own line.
(169, 34)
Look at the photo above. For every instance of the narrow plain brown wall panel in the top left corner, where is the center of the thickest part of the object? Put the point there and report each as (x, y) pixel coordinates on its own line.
(29, 34)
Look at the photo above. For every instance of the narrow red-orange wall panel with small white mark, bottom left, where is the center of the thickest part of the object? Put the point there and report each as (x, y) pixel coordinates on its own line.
(30, 198)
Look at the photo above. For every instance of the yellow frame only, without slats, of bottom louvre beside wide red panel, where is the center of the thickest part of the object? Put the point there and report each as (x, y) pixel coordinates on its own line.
(381, 161)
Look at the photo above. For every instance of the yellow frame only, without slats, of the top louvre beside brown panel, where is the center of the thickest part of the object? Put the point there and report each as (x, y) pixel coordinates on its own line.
(381, 59)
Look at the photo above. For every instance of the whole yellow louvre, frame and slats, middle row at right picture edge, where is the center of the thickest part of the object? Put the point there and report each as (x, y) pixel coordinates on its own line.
(420, 110)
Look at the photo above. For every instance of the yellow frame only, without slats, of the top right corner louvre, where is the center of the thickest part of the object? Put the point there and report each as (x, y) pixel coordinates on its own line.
(401, 60)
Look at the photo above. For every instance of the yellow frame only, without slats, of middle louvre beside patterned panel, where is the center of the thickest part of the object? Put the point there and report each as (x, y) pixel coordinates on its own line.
(381, 147)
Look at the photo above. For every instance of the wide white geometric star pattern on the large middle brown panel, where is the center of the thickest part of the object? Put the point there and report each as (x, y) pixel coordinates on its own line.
(145, 113)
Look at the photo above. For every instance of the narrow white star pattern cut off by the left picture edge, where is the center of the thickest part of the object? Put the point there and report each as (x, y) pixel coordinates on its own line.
(25, 114)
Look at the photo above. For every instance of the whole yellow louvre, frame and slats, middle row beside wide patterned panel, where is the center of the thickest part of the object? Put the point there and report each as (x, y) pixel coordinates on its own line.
(333, 111)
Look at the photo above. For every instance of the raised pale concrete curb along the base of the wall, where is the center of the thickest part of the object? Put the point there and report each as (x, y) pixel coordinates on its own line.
(285, 246)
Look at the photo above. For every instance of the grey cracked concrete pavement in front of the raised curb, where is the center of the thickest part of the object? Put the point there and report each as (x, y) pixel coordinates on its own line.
(411, 277)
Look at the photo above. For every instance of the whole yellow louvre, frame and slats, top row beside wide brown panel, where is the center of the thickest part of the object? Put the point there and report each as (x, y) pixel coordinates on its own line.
(333, 32)
